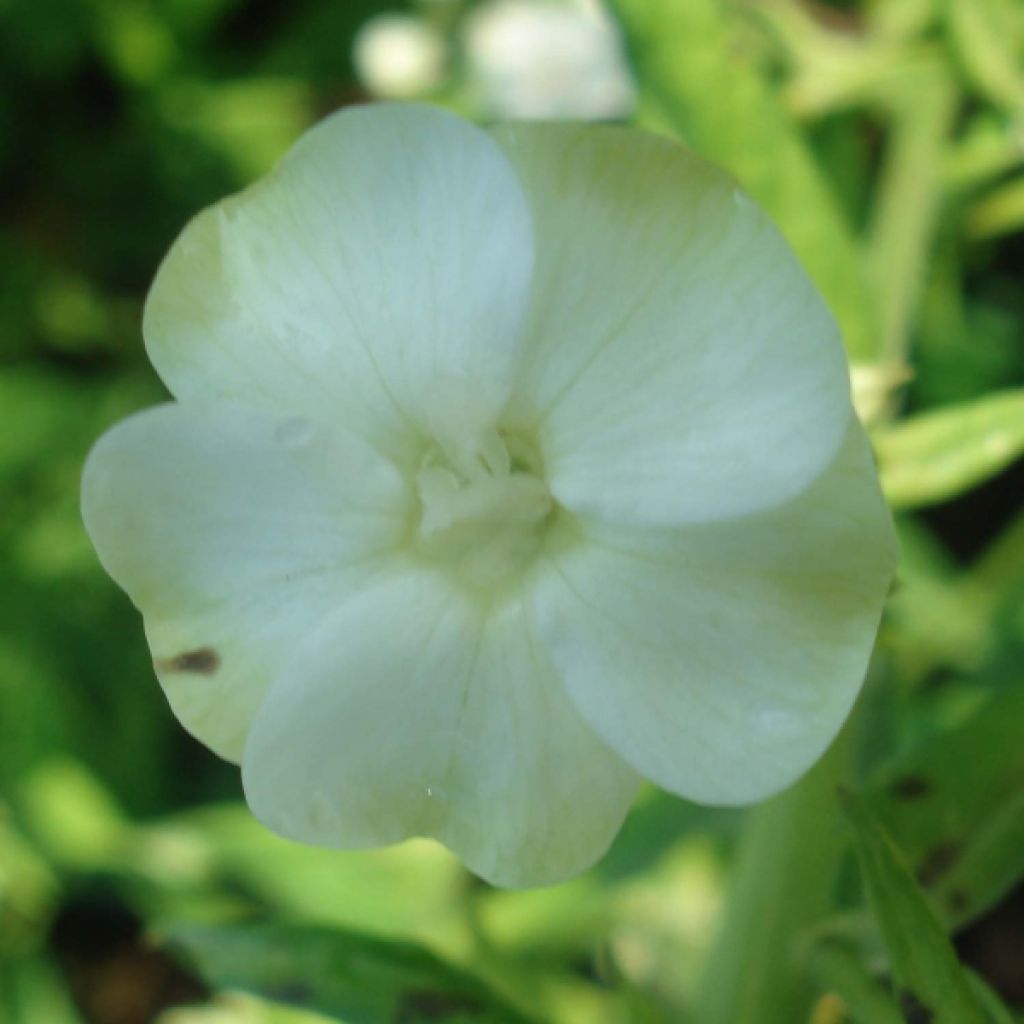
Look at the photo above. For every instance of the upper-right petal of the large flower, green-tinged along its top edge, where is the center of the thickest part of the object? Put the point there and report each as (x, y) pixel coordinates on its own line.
(680, 367)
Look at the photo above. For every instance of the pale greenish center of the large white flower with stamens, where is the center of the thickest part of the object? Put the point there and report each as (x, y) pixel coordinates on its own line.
(484, 507)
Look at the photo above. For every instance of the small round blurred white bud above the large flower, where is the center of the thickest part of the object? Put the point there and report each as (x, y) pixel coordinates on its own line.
(399, 57)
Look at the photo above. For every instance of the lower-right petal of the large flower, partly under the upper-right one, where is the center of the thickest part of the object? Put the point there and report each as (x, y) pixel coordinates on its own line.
(720, 660)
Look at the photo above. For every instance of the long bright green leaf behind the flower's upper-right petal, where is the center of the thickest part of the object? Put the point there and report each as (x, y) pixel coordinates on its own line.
(693, 82)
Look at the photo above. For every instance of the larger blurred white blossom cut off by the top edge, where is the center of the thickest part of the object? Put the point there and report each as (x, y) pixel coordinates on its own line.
(544, 59)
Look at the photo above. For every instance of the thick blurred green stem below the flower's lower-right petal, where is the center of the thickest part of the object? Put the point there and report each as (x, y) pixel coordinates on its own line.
(784, 882)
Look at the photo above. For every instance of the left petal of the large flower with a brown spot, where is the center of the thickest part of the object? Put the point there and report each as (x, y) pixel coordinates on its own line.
(234, 533)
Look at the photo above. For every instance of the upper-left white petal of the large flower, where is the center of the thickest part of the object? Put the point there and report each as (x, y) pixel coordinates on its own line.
(385, 265)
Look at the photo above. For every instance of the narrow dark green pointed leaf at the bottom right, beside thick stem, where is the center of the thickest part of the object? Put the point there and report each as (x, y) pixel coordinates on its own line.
(929, 977)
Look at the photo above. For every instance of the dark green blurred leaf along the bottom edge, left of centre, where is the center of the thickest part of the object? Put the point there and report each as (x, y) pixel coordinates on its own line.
(359, 979)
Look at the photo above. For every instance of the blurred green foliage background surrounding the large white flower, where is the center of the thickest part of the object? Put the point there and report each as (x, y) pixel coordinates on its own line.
(887, 140)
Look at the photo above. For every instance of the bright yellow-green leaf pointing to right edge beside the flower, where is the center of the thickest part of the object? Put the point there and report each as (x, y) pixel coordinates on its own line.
(938, 455)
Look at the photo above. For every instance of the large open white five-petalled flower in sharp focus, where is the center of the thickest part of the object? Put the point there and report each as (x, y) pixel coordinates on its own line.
(505, 470)
